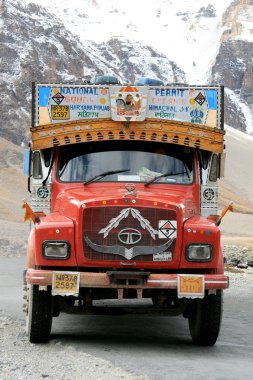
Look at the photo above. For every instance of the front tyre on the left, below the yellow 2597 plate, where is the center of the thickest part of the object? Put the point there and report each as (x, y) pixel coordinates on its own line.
(39, 314)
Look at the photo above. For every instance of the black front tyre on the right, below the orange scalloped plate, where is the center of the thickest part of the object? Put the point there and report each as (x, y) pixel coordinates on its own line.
(205, 319)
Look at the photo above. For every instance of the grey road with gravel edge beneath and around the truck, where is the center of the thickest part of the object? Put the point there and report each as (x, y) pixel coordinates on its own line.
(85, 347)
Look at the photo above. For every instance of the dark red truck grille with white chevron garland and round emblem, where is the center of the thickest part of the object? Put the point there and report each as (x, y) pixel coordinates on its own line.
(120, 233)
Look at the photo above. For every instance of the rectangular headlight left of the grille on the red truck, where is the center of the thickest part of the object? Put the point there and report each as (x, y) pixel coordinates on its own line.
(58, 249)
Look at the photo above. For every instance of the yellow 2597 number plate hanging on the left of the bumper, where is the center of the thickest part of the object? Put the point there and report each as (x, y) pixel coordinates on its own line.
(66, 283)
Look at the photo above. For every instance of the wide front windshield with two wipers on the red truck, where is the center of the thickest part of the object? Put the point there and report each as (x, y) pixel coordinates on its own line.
(125, 161)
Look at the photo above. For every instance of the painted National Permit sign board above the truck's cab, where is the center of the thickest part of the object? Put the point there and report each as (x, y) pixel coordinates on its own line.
(57, 103)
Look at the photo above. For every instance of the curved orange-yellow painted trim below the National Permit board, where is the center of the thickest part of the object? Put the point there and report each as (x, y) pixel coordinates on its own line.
(154, 130)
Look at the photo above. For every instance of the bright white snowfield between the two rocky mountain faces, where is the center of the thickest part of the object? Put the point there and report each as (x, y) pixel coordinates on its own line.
(187, 32)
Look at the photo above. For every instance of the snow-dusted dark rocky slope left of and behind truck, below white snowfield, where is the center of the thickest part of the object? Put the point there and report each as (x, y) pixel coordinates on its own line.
(37, 47)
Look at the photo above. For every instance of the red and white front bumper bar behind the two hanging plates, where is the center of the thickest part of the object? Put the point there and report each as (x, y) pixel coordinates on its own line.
(107, 280)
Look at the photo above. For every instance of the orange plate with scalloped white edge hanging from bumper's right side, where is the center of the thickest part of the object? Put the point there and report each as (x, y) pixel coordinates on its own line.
(190, 286)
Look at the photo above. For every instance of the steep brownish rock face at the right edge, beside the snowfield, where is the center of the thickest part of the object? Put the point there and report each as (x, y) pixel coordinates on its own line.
(234, 67)
